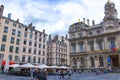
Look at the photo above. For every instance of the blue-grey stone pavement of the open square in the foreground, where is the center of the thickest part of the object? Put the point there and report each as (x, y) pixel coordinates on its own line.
(75, 76)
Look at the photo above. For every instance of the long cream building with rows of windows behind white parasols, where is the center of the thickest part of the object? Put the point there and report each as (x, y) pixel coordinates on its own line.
(21, 43)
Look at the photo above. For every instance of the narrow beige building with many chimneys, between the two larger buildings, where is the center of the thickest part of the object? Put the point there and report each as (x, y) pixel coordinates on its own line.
(58, 51)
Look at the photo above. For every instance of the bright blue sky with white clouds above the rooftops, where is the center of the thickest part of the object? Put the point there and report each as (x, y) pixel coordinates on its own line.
(56, 16)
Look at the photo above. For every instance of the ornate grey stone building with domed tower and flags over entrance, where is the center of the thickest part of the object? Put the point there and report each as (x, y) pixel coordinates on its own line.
(96, 45)
